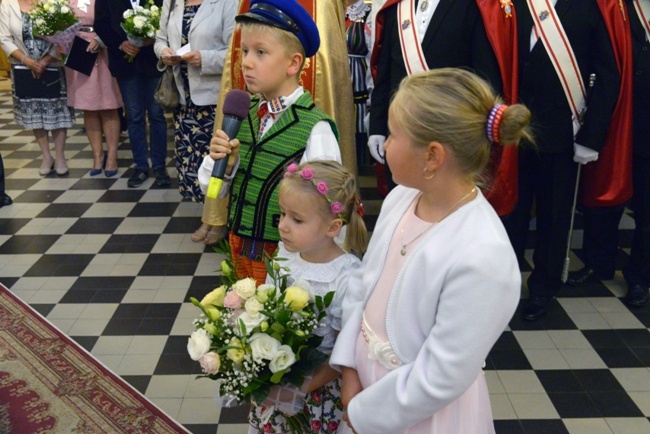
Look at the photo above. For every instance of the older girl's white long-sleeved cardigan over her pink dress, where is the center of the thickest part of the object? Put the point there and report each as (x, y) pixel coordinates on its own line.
(450, 302)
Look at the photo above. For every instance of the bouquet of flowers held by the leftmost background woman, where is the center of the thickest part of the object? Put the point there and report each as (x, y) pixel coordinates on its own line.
(55, 22)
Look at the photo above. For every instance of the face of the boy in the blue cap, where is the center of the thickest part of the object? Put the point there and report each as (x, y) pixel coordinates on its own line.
(266, 66)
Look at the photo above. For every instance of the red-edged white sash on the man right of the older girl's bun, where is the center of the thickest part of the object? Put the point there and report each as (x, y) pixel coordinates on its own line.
(549, 29)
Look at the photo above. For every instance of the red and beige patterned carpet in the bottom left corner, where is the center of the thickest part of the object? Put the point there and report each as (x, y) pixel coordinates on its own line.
(48, 383)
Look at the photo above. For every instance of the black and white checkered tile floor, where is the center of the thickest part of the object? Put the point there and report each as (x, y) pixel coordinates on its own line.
(114, 267)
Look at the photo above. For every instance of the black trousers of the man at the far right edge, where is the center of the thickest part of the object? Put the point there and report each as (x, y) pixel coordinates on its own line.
(601, 231)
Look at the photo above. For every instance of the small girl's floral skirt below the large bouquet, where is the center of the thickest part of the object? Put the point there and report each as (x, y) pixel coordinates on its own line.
(323, 406)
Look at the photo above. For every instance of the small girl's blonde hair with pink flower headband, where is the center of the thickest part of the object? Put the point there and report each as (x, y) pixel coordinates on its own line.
(341, 188)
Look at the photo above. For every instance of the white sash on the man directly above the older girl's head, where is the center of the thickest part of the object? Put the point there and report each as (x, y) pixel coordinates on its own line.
(414, 60)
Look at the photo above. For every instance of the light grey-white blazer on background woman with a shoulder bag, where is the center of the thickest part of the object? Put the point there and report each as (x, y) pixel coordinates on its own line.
(210, 33)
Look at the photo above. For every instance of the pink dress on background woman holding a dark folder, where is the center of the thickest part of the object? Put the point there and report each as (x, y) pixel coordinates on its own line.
(98, 91)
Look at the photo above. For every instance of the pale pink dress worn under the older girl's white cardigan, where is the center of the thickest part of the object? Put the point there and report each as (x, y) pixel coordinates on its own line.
(469, 413)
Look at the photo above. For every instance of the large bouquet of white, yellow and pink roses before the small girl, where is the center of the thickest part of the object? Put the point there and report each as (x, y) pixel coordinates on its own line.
(252, 338)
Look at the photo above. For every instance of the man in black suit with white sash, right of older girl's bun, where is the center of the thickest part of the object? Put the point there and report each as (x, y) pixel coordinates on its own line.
(571, 119)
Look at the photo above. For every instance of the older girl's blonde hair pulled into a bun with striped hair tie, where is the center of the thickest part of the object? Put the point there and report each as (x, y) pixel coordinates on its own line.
(452, 106)
